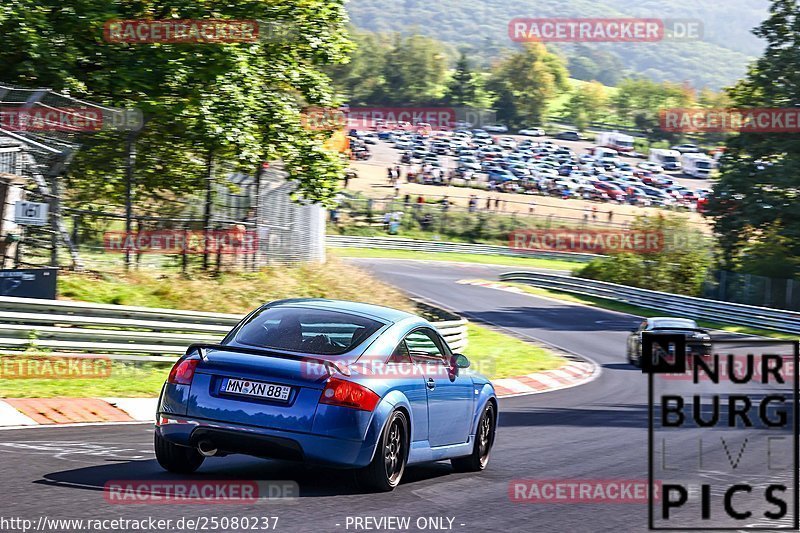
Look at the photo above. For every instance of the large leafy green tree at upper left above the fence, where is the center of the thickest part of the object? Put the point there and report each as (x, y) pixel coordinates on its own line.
(244, 99)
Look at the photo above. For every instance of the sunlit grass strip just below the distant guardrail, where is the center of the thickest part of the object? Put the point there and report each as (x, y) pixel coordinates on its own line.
(529, 262)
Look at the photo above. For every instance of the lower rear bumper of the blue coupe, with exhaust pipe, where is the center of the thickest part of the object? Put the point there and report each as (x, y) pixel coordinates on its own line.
(267, 443)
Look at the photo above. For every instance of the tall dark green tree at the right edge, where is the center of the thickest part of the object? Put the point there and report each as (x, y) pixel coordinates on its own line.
(755, 200)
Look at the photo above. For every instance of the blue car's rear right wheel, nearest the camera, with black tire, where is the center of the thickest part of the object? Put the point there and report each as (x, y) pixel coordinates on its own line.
(386, 469)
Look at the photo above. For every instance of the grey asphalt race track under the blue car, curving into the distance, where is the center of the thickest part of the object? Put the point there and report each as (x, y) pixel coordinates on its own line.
(595, 431)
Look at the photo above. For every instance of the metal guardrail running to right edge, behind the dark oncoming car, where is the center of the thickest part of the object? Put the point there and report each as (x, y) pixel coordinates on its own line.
(674, 304)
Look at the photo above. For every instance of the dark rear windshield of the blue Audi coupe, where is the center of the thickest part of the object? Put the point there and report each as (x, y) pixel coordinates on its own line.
(311, 331)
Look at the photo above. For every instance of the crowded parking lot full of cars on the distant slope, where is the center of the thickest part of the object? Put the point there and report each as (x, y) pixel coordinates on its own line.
(529, 194)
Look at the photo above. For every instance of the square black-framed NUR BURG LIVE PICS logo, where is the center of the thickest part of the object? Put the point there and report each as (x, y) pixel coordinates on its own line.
(723, 441)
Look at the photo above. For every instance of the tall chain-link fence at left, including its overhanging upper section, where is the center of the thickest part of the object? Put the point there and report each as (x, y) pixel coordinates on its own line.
(245, 222)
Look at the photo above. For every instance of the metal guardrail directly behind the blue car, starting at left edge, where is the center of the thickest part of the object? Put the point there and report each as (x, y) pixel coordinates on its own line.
(114, 329)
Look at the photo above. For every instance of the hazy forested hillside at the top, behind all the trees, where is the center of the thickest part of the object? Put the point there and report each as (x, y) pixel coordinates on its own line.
(481, 28)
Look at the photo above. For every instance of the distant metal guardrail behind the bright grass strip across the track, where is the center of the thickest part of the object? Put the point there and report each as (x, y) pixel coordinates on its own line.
(347, 241)
